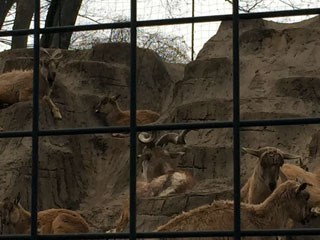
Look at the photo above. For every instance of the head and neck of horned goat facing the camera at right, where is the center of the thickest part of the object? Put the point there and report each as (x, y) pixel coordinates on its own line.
(265, 174)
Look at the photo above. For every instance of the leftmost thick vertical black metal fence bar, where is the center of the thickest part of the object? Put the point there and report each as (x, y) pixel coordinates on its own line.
(35, 121)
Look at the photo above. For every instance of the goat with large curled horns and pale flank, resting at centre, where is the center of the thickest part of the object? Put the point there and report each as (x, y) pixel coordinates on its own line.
(161, 176)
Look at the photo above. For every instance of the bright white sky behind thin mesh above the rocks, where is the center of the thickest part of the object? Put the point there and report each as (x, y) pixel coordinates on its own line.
(184, 40)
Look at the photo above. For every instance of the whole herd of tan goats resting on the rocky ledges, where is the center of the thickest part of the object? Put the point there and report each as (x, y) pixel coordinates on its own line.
(277, 195)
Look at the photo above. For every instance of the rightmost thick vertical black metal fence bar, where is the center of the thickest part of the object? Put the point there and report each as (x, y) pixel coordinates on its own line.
(236, 120)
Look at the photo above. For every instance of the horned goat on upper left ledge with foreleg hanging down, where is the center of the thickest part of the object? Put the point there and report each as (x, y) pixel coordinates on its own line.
(16, 86)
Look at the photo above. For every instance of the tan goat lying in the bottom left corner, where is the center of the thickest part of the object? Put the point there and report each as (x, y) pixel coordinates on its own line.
(18, 220)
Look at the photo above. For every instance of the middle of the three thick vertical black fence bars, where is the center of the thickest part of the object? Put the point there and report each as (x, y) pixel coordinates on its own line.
(133, 54)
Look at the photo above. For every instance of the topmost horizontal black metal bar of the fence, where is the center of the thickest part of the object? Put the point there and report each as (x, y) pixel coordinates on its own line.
(163, 22)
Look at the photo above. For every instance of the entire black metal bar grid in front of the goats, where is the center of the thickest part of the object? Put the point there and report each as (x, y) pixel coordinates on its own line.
(35, 133)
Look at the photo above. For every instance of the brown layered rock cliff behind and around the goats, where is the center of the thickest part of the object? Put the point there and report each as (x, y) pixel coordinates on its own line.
(279, 77)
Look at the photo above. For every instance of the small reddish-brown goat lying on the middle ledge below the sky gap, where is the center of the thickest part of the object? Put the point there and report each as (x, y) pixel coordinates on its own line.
(109, 110)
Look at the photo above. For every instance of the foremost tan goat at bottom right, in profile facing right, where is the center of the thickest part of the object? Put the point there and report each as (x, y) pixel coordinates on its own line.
(288, 201)
